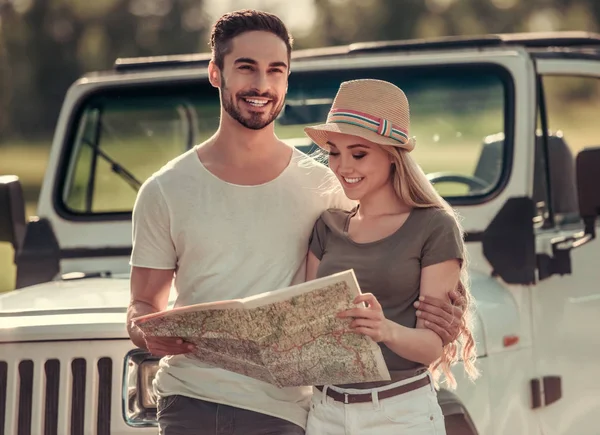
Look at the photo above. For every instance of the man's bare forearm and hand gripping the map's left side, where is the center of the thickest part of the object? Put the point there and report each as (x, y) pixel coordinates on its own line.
(150, 294)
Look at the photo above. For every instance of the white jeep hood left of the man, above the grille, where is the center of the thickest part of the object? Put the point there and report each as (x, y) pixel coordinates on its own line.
(66, 310)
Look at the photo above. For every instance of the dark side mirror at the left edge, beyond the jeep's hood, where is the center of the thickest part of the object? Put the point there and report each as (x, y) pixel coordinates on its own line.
(12, 214)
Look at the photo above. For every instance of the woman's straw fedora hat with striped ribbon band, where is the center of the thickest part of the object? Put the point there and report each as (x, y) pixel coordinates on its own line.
(375, 110)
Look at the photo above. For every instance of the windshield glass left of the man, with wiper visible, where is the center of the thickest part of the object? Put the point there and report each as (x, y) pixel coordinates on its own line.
(120, 143)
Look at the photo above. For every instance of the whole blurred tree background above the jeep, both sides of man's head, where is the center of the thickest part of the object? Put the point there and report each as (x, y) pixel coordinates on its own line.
(45, 45)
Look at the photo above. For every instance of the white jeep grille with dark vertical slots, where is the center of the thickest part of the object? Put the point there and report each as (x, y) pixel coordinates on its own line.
(61, 388)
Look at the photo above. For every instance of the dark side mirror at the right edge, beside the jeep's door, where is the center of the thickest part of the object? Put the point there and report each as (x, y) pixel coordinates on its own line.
(587, 165)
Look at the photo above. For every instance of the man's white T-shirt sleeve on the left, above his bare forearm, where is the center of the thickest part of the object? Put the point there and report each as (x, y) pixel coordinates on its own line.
(152, 243)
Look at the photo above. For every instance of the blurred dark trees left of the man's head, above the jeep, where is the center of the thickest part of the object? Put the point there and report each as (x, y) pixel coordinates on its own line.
(45, 45)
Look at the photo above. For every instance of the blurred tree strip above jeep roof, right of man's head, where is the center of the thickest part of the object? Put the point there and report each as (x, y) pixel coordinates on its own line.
(346, 21)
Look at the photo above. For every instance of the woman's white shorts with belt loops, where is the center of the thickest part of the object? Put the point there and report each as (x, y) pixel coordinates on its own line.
(416, 412)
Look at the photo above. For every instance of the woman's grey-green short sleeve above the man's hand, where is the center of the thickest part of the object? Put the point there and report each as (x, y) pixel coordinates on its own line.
(443, 240)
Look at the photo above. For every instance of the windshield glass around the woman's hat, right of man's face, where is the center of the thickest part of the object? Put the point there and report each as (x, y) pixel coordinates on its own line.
(457, 117)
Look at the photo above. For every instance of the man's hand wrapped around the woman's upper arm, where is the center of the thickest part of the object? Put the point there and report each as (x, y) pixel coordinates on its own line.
(440, 316)
